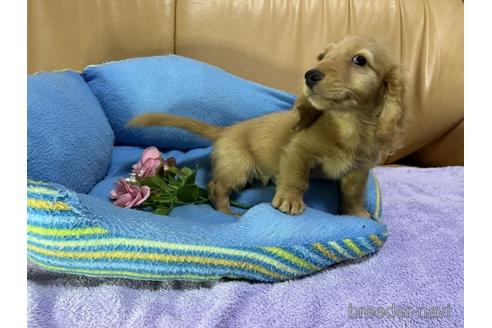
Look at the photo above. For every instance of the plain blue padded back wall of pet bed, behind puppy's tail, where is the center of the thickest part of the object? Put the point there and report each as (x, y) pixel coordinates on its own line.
(177, 85)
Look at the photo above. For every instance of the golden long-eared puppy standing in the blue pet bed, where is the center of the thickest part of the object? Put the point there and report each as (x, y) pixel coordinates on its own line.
(349, 115)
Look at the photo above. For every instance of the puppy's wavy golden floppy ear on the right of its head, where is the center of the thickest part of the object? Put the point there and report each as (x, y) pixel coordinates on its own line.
(392, 114)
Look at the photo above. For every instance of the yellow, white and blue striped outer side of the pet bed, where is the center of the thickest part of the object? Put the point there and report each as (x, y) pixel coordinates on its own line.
(61, 238)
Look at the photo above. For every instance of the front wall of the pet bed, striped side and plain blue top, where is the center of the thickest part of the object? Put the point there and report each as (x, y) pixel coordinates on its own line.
(80, 234)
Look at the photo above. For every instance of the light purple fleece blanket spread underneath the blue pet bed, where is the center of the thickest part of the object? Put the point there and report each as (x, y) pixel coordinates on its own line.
(415, 280)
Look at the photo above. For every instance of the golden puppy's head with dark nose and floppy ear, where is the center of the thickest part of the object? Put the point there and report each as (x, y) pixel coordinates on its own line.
(357, 74)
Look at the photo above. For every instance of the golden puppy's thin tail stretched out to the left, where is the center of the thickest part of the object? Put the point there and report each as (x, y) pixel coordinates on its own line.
(205, 130)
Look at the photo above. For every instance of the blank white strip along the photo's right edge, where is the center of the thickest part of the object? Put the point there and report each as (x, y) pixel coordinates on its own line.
(478, 140)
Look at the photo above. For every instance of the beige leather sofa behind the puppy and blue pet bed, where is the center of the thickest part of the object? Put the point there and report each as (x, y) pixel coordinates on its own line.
(273, 42)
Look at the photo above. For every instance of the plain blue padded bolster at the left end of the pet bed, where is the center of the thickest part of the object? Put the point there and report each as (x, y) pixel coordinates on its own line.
(69, 139)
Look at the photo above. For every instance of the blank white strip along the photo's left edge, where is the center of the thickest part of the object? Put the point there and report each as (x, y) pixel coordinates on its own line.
(13, 17)
